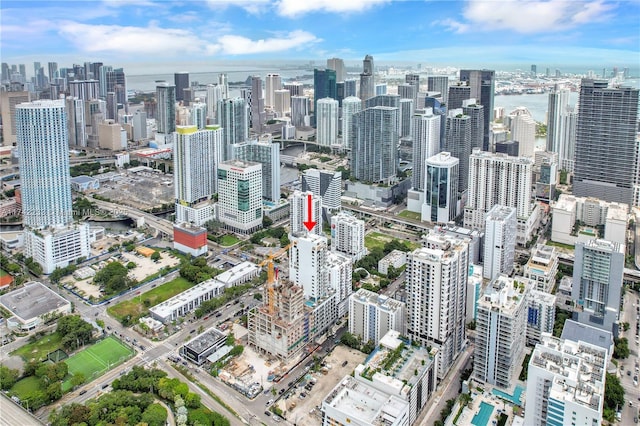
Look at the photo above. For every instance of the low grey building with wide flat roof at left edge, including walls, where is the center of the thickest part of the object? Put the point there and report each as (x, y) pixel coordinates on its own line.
(31, 303)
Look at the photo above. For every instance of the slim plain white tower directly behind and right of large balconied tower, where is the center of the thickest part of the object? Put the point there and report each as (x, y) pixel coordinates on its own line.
(499, 241)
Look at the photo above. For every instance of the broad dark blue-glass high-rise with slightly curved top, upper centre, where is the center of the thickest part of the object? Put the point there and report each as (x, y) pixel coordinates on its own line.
(374, 147)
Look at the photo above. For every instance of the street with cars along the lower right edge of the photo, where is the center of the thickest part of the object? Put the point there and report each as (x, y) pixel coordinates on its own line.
(630, 368)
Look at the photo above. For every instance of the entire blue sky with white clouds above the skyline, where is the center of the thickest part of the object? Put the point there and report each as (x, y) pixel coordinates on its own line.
(137, 34)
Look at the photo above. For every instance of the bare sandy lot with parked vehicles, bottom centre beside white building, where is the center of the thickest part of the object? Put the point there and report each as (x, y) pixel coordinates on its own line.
(306, 412)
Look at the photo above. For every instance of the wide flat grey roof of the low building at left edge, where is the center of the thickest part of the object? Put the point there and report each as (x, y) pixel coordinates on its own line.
(32, 301)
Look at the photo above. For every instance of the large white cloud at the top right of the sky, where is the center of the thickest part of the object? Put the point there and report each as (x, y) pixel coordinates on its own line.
(528, 17)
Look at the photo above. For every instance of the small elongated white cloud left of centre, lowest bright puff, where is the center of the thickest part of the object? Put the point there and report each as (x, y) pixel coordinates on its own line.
(238, 45)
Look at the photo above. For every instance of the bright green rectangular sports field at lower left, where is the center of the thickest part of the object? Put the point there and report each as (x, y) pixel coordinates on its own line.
(97, 359)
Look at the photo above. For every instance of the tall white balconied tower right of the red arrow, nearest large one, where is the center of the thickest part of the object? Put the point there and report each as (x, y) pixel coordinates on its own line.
(436, 296)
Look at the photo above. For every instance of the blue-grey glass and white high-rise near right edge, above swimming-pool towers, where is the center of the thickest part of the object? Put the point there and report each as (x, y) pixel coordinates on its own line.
(597, 282)
